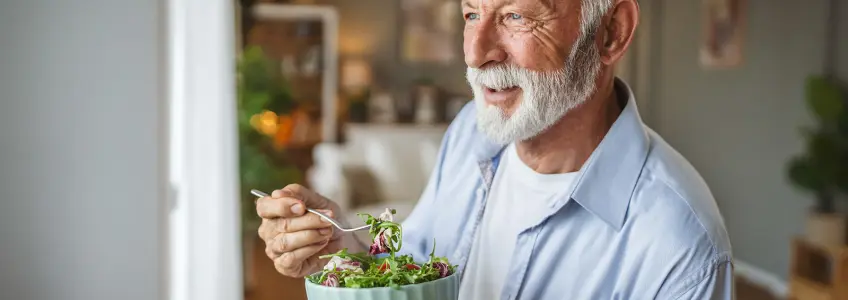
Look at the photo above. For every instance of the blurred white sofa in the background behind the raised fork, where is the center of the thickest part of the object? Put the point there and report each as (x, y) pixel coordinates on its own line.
(378, 167)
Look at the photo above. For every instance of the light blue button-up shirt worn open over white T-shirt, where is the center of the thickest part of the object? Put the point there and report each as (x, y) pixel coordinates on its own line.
(639, 223)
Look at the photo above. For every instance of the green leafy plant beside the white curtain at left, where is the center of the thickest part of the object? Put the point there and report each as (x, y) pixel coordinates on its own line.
(260, 88)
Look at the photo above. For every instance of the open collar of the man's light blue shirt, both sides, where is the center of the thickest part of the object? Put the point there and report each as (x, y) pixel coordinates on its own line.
(608, 178)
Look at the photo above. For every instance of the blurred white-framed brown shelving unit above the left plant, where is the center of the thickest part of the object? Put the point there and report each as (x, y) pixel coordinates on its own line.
(305, 39)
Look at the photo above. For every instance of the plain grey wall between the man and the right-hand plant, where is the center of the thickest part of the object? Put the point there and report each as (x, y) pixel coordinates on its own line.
(739, 127)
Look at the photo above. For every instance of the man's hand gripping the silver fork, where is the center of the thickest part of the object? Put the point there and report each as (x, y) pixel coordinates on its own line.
(295, 239)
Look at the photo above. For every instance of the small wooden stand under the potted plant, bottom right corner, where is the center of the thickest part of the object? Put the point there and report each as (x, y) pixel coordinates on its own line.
(818, 272)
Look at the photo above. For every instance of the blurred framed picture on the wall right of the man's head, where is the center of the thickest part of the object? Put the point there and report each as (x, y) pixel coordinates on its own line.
(722, 43)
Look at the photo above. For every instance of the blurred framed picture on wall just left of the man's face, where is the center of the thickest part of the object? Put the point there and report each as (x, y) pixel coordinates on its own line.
(430, 30)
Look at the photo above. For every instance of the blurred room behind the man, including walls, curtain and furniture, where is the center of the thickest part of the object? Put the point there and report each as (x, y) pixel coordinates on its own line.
(131, 132)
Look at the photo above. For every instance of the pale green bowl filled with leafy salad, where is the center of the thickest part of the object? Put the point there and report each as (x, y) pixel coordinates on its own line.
(383, 273)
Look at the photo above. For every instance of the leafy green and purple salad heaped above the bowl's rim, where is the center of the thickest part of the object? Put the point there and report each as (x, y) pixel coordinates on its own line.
(367, 270)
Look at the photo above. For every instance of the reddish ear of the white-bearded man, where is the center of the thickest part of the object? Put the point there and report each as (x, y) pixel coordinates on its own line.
(618, 28)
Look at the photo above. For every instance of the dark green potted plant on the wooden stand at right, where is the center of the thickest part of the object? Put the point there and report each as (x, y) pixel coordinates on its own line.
(823, 169)
